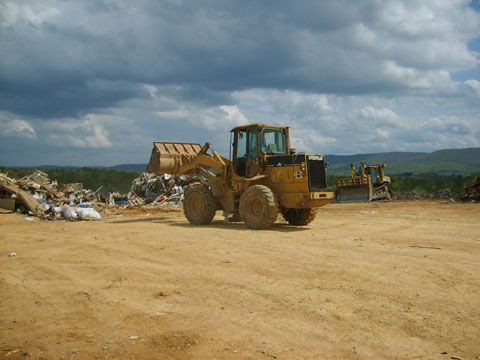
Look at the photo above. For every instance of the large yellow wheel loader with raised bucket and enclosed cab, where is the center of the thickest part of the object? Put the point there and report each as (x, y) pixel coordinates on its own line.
(262, 178)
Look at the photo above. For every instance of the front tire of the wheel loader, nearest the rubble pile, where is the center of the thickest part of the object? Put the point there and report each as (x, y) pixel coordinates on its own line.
(199, 205)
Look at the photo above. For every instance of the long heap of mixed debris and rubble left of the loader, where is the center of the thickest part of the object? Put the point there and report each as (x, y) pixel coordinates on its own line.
(38, 195)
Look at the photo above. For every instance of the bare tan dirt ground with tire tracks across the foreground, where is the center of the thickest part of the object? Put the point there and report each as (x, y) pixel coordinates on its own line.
(397, 280)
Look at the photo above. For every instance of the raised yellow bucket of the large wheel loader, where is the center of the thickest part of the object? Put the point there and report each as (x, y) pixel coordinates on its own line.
(167, 157)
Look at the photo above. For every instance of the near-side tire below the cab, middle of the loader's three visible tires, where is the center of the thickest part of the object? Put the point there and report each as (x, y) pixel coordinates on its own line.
(258, 207)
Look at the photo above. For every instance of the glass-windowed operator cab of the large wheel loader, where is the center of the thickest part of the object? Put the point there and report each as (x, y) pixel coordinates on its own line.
(253, 143)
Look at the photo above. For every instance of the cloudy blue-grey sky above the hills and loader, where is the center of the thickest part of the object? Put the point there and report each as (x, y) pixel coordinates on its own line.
(95, 82)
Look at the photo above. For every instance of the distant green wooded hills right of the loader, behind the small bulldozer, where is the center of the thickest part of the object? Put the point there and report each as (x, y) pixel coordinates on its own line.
(445, 162)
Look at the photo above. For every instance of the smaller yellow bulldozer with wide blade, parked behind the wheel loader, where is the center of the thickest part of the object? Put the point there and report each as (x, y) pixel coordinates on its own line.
(369, 184)
